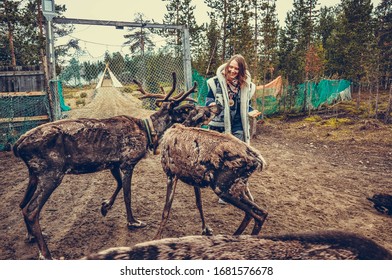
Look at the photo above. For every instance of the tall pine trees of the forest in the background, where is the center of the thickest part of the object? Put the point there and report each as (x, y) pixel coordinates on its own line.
(351, 40)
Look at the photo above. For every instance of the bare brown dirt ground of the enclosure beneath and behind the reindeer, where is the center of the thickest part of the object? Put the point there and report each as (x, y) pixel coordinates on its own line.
(318, 178)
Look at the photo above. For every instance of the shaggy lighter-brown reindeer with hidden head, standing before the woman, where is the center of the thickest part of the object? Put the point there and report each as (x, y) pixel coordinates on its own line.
(203, 158)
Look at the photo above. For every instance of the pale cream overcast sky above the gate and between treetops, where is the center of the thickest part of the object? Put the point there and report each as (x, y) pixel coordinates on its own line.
(100, 39)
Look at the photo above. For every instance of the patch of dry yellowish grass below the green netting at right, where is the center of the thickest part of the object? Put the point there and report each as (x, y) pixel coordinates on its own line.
(342, 122)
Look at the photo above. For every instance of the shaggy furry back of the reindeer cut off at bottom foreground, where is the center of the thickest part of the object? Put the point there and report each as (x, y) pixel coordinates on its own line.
(329, 245)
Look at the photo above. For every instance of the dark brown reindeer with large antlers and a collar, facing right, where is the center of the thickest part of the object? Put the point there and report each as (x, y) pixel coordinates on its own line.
(84, 145)
